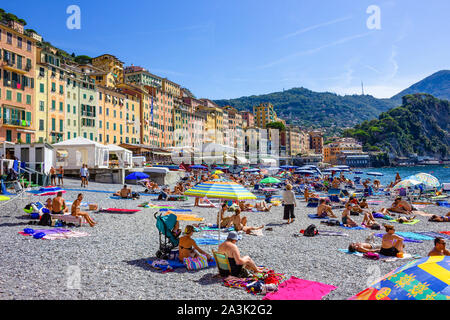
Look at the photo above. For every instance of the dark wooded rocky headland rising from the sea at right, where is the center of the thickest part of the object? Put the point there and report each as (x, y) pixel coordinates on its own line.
(420, 125)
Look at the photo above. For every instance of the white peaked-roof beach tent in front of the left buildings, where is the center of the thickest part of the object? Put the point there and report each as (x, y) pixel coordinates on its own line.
(81, 151)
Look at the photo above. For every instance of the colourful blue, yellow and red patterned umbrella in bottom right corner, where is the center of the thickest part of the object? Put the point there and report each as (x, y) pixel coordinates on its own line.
(422, 279)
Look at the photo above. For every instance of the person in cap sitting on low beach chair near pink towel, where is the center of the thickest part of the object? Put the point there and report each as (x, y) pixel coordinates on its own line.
(237, 263)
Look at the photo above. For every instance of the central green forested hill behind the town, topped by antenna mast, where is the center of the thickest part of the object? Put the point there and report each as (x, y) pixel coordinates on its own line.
(307, 108)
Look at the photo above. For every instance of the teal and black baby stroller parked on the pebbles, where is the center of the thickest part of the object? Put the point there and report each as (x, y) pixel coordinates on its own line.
(167, 241)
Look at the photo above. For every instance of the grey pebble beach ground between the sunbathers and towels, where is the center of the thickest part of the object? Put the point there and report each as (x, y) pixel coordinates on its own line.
(112, 260)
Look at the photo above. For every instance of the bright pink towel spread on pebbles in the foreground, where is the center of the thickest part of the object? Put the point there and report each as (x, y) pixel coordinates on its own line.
(299, 289)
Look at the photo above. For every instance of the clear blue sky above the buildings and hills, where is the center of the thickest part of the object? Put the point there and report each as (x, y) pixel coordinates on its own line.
(229, 48)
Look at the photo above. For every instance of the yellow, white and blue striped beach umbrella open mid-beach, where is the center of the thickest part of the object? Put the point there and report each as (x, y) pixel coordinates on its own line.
(227, 190)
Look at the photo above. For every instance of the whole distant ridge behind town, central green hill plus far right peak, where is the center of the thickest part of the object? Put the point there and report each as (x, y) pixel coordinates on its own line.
(333, 112)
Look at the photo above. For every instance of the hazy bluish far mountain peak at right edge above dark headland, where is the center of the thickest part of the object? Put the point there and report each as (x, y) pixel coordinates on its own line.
(438, 85)
